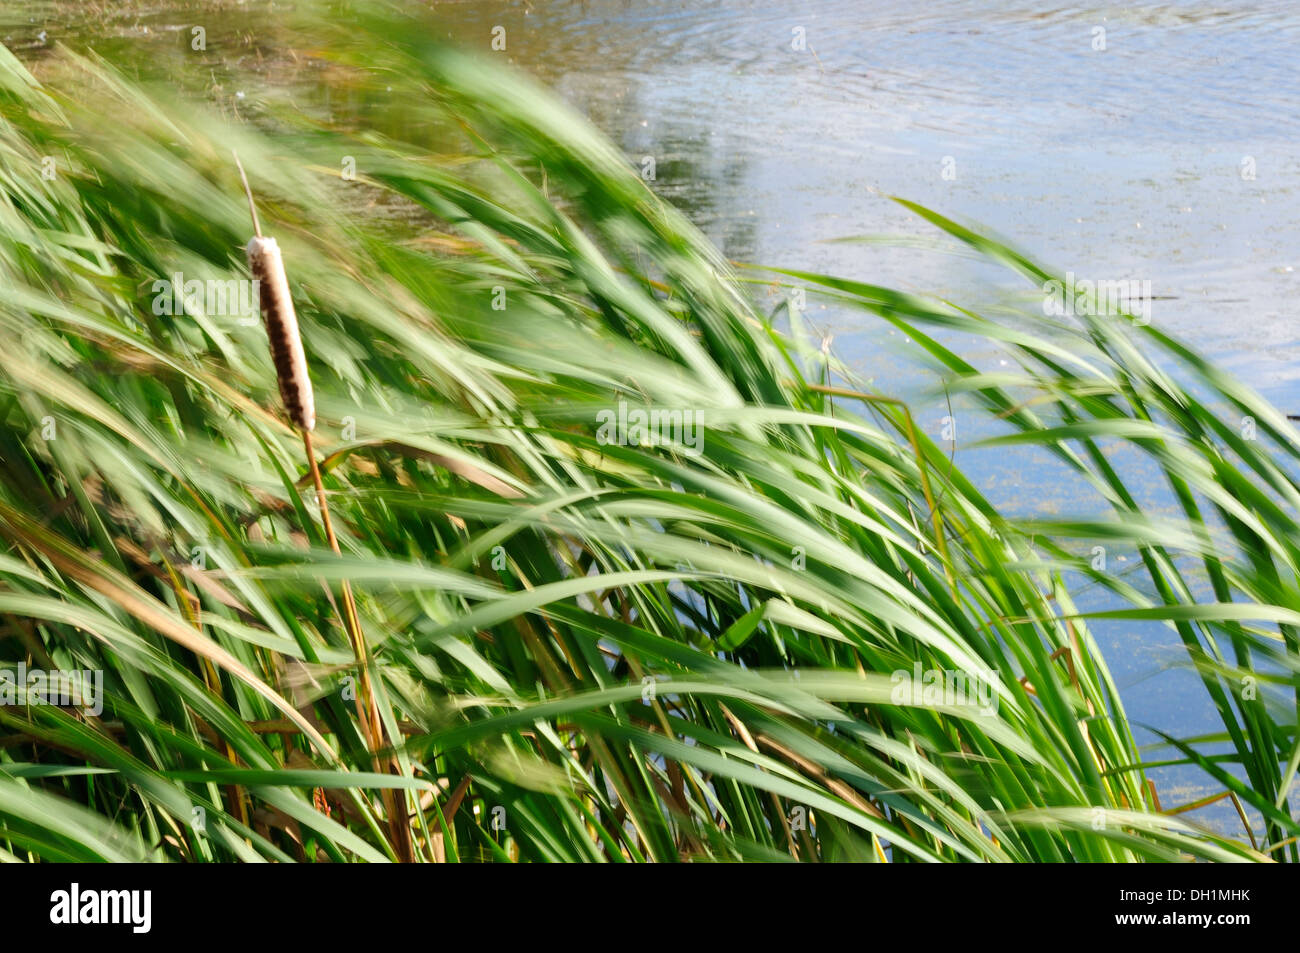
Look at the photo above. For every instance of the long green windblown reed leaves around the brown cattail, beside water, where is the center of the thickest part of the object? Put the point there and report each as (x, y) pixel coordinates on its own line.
(592, 652)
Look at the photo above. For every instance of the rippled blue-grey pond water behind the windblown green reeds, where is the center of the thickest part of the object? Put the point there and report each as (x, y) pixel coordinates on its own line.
(1154, 142)
